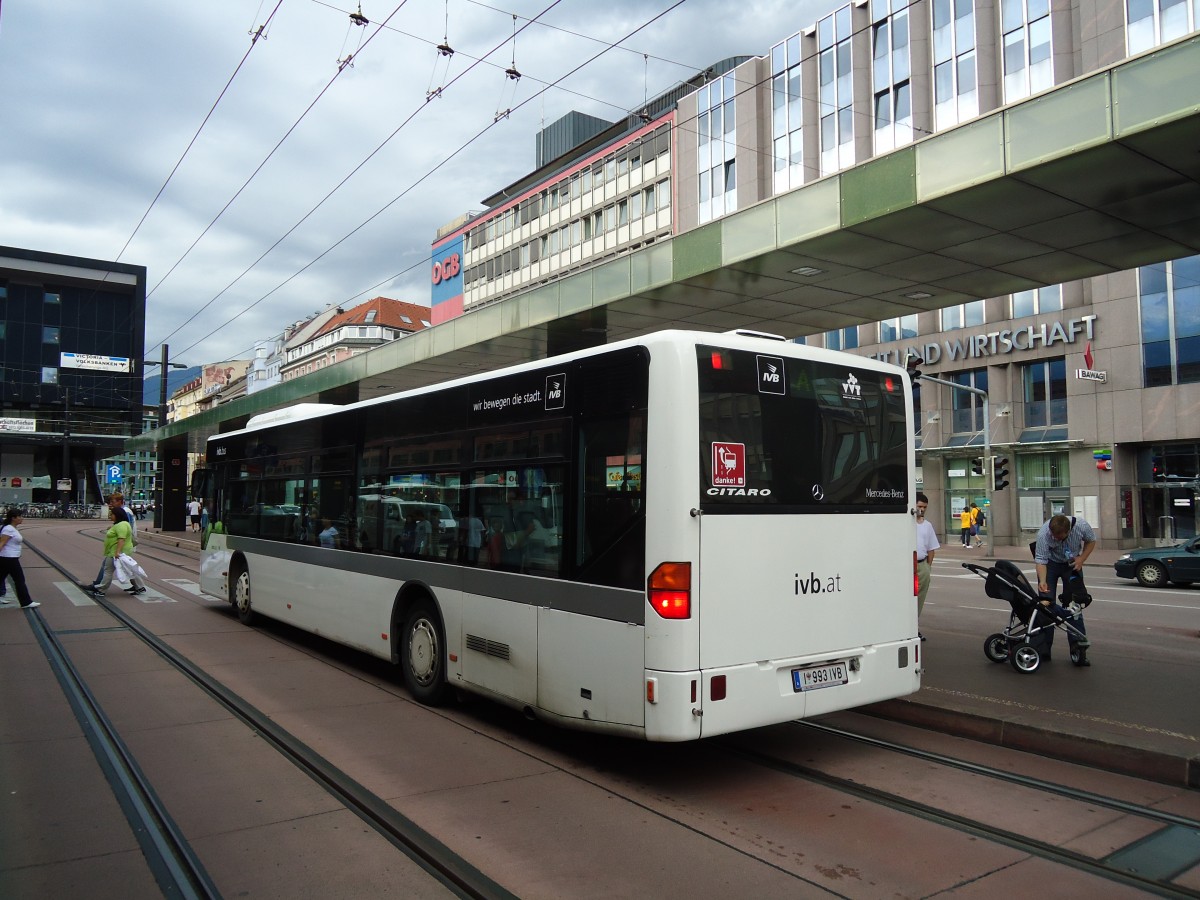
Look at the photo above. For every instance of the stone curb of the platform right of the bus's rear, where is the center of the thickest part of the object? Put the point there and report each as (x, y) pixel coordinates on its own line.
(1126, 760)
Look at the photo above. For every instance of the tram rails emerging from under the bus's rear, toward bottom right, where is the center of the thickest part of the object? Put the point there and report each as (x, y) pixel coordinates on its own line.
(1109, 868)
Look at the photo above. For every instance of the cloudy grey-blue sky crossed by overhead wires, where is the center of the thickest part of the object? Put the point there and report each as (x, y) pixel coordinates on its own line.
(310, 184)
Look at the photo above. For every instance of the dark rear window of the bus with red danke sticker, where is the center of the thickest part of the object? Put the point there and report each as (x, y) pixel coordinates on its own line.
(796, 436)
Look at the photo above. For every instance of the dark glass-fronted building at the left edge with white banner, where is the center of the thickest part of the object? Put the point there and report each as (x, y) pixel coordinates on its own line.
(73, 339)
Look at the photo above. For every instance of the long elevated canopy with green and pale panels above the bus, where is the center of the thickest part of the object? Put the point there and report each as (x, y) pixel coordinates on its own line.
(1097, 176)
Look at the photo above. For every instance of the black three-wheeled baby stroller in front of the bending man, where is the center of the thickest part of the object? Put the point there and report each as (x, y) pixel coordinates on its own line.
(1027, 640)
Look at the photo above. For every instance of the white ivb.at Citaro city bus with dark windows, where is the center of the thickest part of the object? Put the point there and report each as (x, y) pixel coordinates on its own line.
(673, 537)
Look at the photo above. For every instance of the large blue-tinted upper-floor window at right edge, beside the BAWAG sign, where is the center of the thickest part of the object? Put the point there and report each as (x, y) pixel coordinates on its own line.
(1169, 301)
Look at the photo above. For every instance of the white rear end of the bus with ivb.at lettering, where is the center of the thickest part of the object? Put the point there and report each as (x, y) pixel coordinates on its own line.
(788, 524)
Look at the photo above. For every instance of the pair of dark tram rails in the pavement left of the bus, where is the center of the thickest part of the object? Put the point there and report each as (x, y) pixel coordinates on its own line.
(178, 869)
